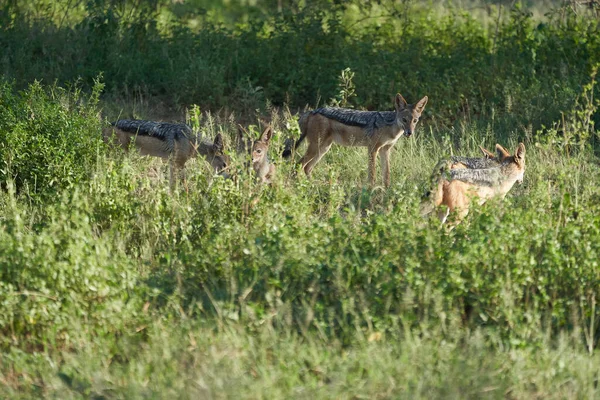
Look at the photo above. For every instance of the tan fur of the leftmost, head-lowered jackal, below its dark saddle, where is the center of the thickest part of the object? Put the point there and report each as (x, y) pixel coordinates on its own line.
(182, 152)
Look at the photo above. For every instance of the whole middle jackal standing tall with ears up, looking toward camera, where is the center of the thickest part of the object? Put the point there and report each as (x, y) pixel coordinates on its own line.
(376, 130)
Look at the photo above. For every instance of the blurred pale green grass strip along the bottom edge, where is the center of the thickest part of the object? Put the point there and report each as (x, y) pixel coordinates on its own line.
(197, 361)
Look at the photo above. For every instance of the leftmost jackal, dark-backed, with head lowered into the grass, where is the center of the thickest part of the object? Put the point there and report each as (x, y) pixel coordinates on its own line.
(175, 142)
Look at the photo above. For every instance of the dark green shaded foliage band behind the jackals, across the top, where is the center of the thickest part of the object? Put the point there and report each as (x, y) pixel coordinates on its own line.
(507, 69)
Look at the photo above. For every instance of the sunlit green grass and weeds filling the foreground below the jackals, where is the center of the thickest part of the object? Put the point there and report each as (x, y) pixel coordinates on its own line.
(119, 288)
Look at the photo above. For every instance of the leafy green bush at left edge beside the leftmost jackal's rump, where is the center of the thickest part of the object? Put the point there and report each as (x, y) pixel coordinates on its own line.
(49, 137)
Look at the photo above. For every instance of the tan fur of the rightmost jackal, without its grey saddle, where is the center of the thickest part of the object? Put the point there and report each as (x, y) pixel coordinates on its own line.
(456, 195)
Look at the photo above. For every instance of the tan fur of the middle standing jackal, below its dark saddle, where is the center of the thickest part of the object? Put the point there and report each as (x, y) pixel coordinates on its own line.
(321, 132)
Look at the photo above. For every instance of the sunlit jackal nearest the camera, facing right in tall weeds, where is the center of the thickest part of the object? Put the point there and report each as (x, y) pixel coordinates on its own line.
(455, 187)
